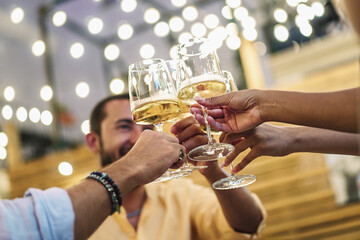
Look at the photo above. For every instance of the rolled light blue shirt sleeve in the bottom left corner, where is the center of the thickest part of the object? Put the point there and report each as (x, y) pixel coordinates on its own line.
(39, 215)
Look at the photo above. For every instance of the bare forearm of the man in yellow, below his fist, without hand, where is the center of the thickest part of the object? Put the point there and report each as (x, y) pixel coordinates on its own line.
(239, 208)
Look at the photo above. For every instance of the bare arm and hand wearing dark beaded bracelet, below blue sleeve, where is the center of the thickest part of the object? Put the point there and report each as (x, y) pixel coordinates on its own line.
(141, 165)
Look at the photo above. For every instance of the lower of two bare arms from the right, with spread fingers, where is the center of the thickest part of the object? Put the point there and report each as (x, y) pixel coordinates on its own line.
(269, 140)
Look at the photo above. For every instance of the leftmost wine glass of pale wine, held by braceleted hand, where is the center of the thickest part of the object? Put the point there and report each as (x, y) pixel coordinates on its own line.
(153, 99)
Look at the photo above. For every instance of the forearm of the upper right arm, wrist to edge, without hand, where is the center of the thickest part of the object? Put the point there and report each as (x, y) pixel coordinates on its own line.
(330, 110)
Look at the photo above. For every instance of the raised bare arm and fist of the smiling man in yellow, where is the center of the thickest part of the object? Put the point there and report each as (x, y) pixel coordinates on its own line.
(238, 206)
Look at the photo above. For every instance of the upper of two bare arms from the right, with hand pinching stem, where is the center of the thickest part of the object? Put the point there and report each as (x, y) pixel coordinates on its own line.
(240, 111)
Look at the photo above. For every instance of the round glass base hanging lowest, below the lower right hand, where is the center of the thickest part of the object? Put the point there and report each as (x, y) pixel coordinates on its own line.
(234, 182)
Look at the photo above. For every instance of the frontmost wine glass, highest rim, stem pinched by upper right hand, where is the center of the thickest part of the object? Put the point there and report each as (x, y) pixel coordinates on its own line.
(200, 75)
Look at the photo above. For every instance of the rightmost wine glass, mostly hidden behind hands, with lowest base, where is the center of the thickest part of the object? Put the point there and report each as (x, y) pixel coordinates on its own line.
(233, 181)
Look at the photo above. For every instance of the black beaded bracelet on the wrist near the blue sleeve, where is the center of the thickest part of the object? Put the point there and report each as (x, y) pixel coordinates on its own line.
(111, 187)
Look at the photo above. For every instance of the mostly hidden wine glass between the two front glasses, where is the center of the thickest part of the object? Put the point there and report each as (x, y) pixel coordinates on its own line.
(184, 110)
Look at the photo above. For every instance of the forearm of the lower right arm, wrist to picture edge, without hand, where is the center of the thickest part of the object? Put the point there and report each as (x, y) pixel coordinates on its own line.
(307, 139)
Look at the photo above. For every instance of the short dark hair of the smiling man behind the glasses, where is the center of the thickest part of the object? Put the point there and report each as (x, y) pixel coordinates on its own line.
(98, 114)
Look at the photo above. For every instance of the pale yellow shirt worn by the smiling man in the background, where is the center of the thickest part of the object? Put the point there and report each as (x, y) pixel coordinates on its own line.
(175, 210)
